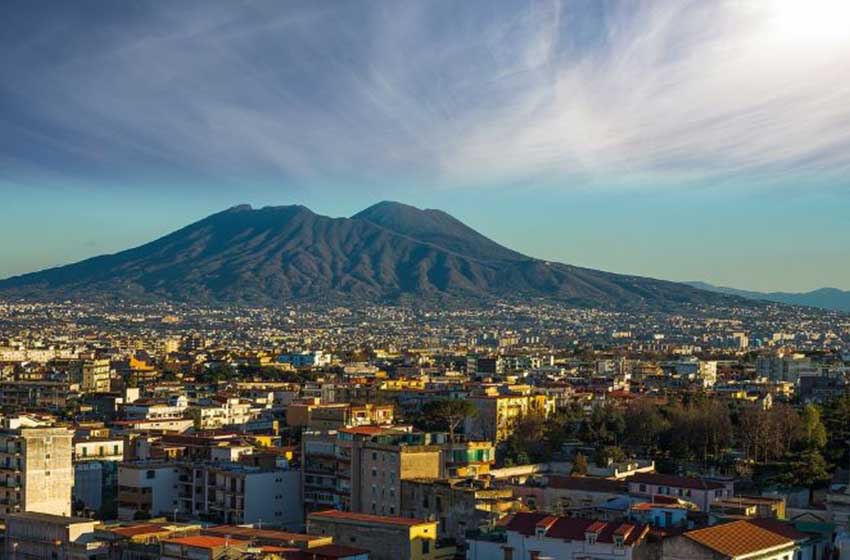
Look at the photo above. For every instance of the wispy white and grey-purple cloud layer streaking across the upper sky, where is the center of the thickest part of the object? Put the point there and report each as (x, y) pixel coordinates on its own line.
(450, 93)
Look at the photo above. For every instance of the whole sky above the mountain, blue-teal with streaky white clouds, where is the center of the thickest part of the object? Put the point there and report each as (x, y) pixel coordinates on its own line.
(686, 140)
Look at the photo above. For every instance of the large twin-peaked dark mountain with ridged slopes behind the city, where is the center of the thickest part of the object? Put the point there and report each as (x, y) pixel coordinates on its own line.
(388, 252)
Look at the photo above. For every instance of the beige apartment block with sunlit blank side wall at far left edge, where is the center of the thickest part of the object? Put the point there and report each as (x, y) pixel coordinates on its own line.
(35, 467)
